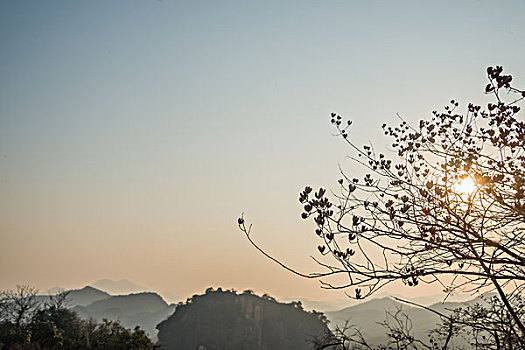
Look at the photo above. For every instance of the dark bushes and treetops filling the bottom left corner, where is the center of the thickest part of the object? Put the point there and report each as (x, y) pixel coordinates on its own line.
(26, 323)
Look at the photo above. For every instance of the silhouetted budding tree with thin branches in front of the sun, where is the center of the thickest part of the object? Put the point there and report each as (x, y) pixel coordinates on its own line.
(446, 207)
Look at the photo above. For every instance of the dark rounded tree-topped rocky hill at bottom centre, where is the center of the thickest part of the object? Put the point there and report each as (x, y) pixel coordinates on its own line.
(227, 320)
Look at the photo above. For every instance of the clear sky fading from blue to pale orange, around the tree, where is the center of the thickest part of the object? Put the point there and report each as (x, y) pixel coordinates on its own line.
(134, 133)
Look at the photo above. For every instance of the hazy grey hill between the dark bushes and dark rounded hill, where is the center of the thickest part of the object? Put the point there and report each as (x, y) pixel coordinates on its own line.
(142, 309)
